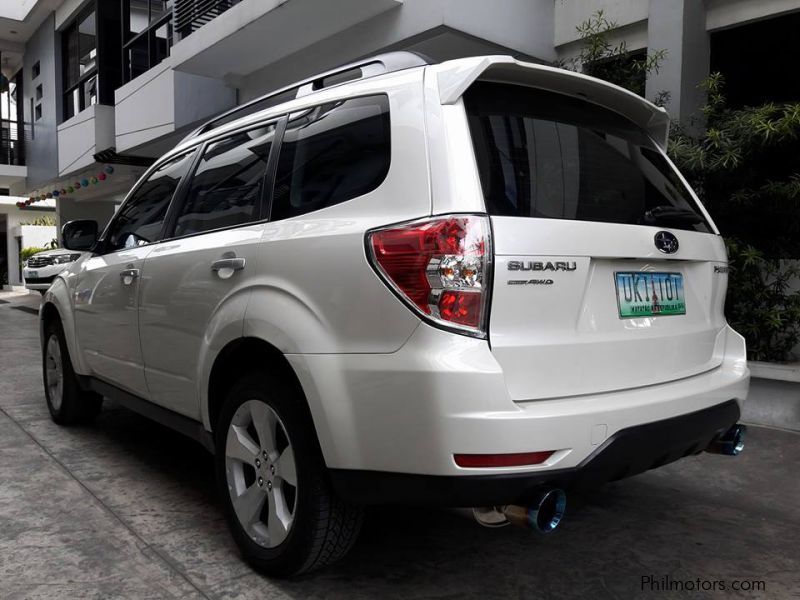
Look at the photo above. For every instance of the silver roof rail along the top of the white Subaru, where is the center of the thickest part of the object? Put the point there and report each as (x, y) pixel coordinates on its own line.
(362, 69)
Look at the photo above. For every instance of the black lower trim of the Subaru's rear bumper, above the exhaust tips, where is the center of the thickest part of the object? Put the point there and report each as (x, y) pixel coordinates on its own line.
(628, 452)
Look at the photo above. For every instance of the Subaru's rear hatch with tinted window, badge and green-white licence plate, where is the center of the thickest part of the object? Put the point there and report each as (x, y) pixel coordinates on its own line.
(608, 275)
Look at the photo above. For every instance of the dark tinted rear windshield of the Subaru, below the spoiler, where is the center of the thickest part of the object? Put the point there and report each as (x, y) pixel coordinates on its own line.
(545, 155)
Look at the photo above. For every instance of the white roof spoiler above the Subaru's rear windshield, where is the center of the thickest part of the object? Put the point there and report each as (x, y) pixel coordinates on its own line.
(455, 77)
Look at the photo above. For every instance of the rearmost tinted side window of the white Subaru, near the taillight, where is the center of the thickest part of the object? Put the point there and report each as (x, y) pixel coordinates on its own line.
(336, 153)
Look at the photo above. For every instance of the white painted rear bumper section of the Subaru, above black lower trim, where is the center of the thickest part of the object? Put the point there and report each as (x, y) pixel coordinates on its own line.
(409, 412)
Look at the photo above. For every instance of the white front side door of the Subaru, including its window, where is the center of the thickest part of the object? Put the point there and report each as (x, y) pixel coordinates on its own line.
(109, 284)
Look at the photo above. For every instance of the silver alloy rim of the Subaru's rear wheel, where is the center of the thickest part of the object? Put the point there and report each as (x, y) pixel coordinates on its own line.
(261, 473)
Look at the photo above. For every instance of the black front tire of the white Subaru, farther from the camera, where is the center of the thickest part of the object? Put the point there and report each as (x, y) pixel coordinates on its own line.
(75, 405)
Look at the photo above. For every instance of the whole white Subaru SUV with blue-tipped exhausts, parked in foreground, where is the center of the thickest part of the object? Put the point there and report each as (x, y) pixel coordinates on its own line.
(471, 284)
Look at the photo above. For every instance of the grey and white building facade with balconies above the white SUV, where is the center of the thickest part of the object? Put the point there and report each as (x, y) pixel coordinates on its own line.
(93, 90)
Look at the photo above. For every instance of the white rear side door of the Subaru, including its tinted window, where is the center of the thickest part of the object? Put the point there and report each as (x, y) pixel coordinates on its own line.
(195, 282)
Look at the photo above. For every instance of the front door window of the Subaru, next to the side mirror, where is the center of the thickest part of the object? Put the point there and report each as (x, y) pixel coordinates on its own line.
(140, 219)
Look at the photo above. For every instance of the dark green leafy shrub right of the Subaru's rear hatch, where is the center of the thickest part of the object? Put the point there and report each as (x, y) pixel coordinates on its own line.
(745, 167)
